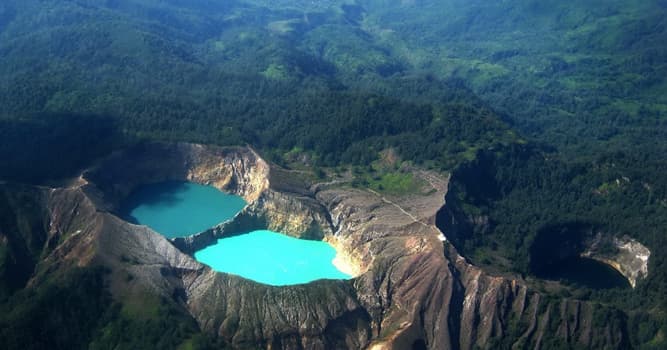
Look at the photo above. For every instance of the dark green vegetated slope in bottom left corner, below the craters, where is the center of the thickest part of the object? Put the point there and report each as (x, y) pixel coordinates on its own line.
(75, 311)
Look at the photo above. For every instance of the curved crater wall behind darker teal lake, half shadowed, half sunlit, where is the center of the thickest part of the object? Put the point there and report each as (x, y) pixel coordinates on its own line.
(235, 170)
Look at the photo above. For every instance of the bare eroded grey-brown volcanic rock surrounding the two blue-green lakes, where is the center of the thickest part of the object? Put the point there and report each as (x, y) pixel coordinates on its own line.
(412, 289)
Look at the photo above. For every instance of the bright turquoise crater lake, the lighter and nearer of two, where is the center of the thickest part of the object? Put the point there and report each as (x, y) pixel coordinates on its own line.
(272, 258)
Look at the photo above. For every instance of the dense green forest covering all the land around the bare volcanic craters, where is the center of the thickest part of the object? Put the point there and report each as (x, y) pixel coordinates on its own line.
(544, 112)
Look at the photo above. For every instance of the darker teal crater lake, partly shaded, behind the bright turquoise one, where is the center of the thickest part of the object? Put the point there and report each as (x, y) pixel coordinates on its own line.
(178, 209)
